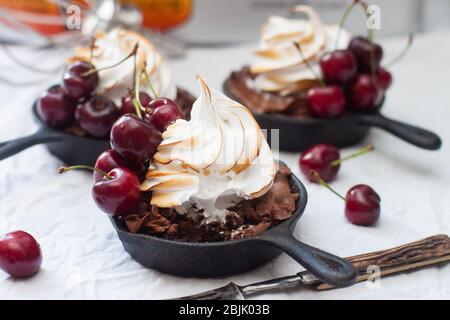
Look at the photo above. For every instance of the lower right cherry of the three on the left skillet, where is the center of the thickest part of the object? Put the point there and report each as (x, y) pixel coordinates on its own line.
(97, 115)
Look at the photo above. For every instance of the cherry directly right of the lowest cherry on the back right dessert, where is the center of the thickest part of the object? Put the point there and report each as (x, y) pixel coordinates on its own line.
(364, 94)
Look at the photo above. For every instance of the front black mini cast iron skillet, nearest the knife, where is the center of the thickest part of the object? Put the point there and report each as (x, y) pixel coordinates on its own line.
(236, 256)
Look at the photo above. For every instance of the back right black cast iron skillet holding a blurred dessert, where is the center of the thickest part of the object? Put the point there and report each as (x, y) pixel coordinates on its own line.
(346, 130)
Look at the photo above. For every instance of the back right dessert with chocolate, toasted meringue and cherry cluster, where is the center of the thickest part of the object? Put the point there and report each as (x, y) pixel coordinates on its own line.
(305, 68)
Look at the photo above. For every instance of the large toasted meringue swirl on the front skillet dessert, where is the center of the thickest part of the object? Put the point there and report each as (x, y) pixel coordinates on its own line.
(211, 162)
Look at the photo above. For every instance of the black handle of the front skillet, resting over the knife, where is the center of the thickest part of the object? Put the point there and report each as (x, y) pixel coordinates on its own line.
(327, 267)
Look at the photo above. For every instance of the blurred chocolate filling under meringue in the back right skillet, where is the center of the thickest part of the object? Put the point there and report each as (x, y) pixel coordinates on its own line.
(239, 86)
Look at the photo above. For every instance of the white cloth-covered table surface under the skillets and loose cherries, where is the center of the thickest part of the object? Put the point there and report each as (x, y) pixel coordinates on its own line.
(83, 258)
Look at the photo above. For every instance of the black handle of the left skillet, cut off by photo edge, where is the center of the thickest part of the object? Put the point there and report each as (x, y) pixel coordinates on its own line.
(11, 147)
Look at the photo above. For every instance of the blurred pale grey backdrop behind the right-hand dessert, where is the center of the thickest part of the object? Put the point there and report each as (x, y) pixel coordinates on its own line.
(232, 20)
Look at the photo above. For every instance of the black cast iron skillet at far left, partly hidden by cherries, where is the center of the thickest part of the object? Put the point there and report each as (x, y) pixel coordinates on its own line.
(69, 148)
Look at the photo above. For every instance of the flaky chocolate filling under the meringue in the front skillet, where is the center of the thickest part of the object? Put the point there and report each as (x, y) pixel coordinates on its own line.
(246, 219)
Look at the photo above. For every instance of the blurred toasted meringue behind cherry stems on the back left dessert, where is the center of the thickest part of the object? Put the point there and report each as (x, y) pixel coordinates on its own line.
(115, 45)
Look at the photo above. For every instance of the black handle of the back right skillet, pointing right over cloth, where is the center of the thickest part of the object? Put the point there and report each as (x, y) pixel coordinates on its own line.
(414, 135)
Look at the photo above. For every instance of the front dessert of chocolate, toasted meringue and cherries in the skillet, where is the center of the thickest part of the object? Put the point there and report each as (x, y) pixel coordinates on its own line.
(210, 178)
